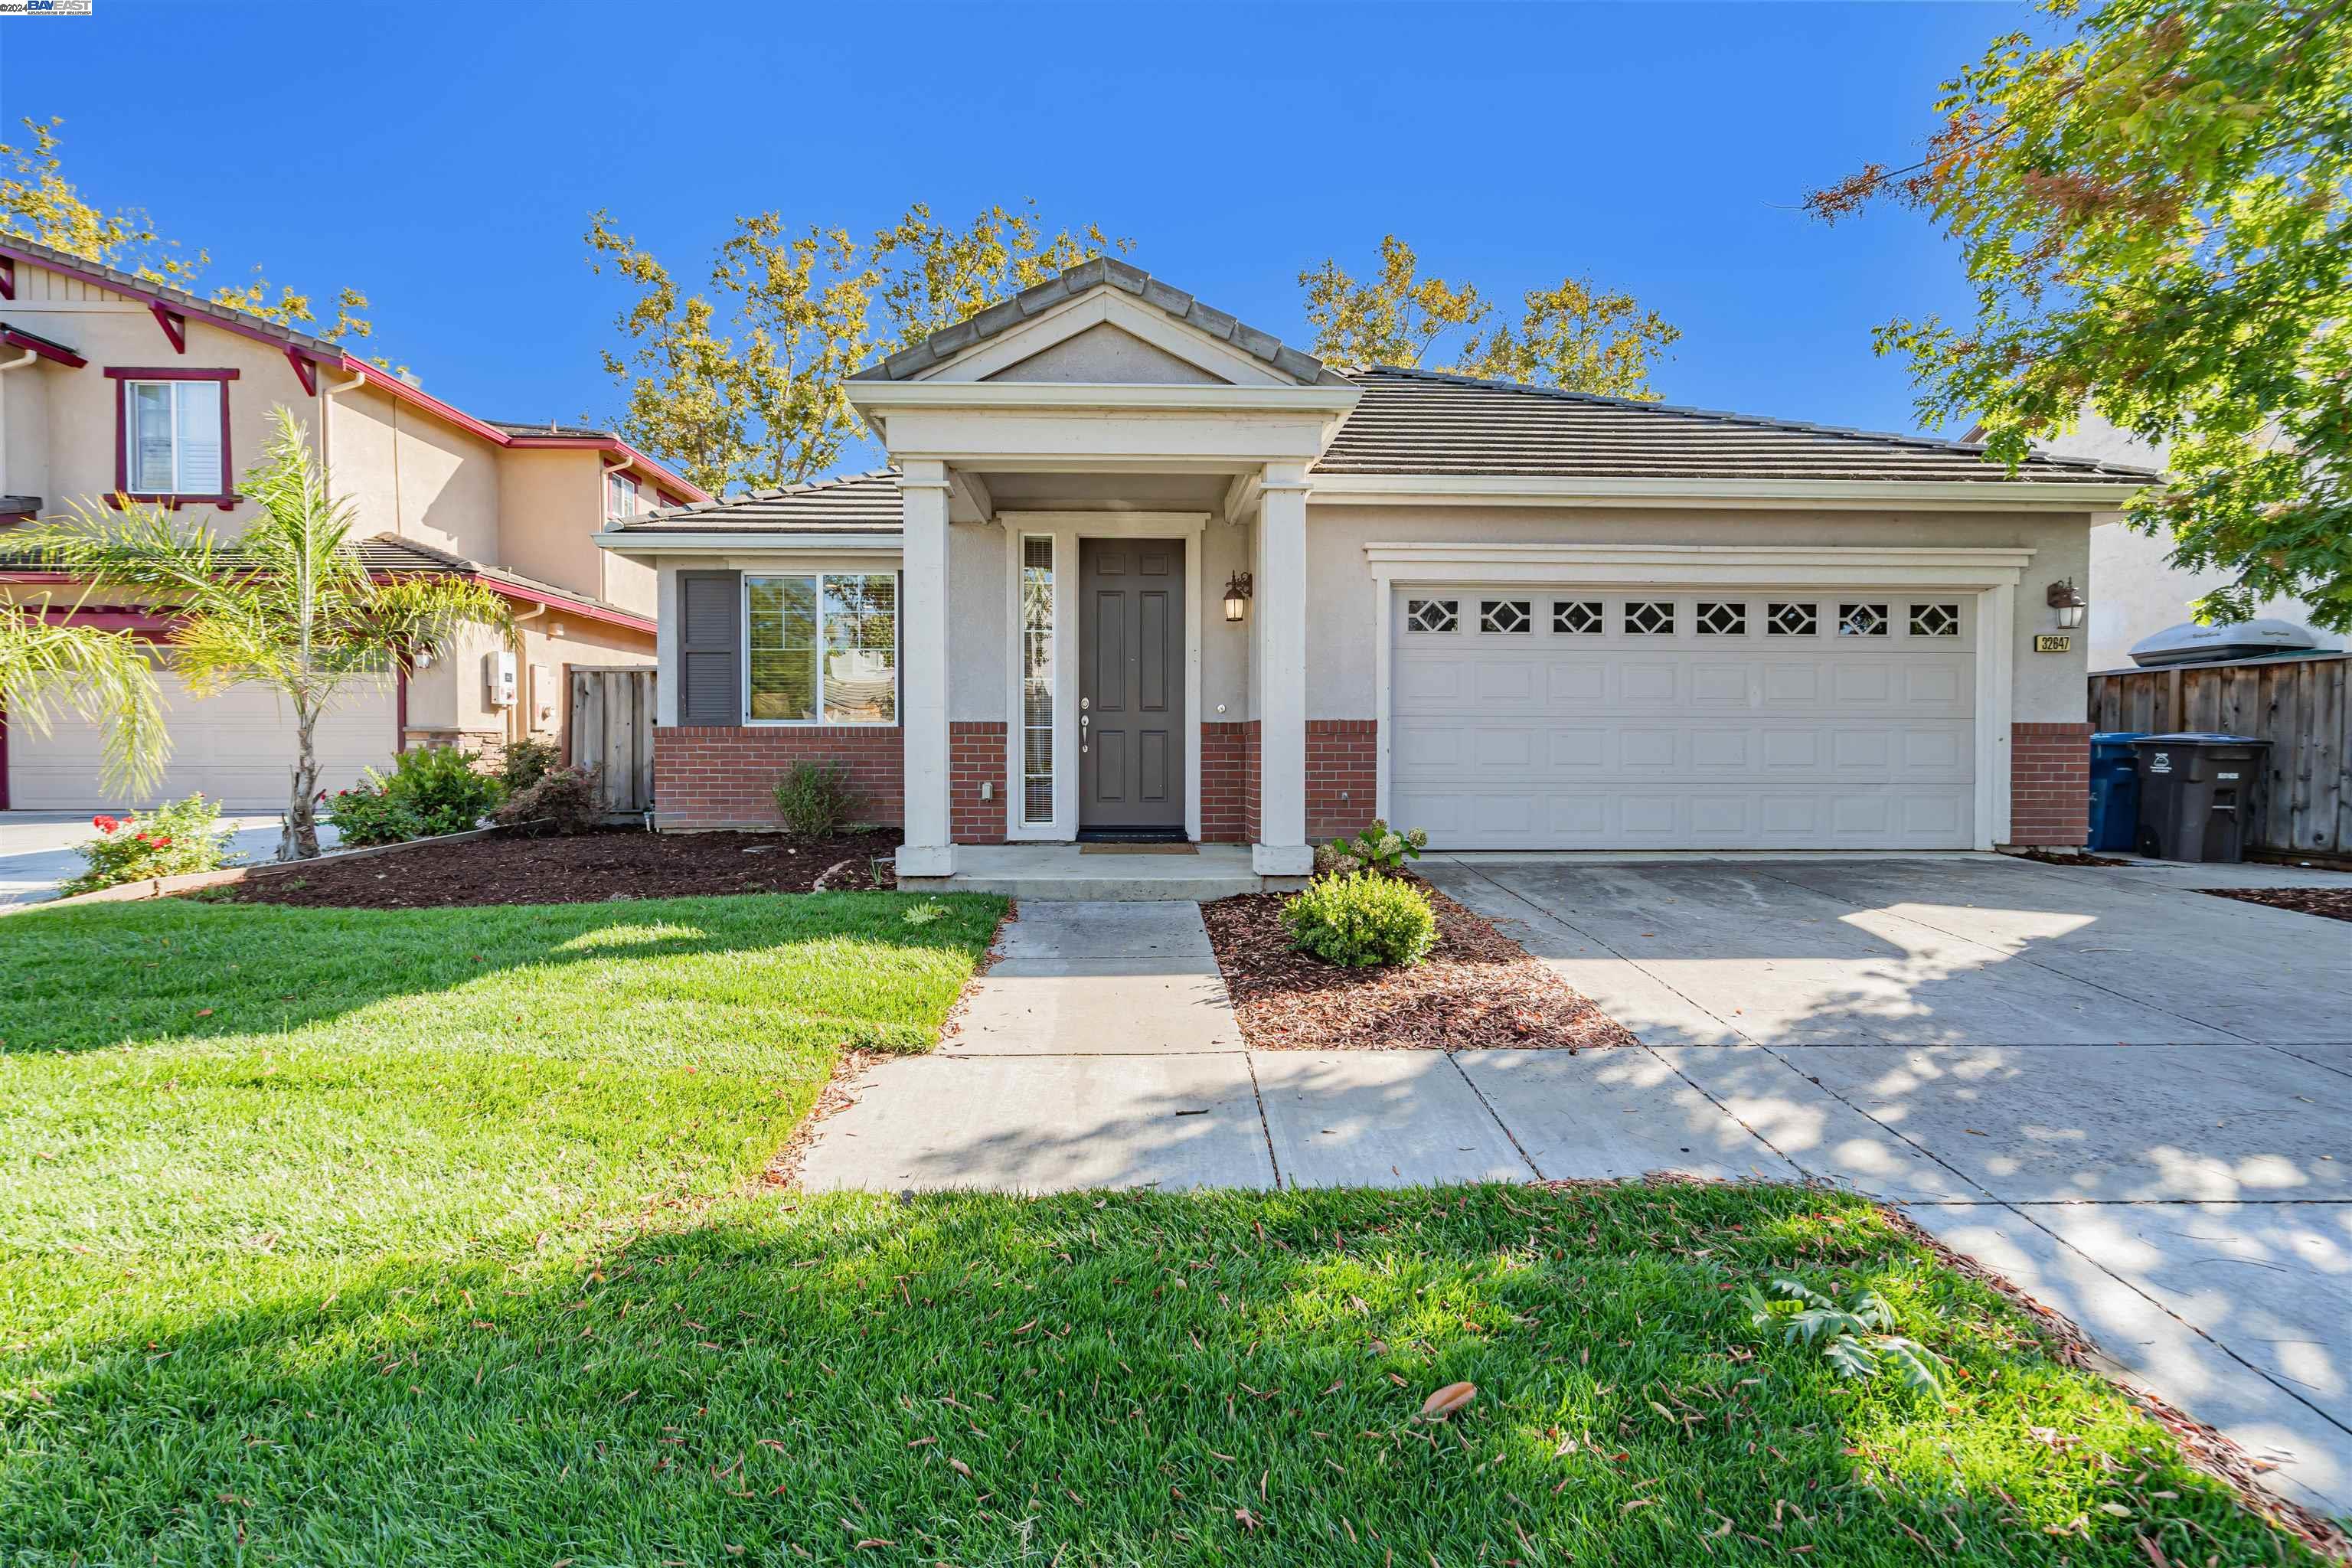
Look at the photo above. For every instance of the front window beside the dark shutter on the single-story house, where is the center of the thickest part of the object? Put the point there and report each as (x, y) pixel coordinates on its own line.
(822, 648)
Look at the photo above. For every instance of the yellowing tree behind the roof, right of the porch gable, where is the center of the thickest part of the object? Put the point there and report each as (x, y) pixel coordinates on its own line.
(1572, 337)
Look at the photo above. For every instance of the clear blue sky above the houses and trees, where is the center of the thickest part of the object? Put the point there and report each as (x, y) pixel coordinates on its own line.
(446, 159)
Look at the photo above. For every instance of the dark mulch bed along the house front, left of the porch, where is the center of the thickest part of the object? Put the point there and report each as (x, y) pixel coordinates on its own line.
(584, 869)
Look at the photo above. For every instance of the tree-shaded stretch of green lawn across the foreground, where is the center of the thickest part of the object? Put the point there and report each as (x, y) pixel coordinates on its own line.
(1085, 1379)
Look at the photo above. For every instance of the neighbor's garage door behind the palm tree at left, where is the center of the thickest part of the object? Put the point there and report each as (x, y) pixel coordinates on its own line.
(236, 746)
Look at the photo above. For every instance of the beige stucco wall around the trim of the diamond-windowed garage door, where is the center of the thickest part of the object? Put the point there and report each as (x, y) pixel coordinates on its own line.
(1344, 624)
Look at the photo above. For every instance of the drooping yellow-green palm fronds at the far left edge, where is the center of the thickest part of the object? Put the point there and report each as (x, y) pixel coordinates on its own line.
(48, 666)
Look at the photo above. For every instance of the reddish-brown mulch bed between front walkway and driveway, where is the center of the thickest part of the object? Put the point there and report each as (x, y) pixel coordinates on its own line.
(1476, 991)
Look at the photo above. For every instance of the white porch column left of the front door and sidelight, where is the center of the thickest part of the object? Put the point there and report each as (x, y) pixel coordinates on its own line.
(923, 669)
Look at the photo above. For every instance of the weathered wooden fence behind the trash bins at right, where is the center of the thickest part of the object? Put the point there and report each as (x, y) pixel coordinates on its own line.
(2301, 706)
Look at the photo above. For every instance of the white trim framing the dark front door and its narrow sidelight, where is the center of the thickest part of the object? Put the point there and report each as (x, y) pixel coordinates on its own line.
(1067, 530)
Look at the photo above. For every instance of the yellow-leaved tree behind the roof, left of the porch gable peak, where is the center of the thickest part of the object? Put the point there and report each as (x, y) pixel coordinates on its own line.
(742, 387)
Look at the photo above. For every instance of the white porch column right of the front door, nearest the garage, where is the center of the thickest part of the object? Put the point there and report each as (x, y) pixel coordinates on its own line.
(1281, 610)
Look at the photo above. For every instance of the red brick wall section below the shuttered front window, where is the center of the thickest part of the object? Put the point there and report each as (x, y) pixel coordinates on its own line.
(723, 777)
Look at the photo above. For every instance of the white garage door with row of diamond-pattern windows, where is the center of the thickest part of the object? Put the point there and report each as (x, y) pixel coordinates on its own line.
(1683, 721)
